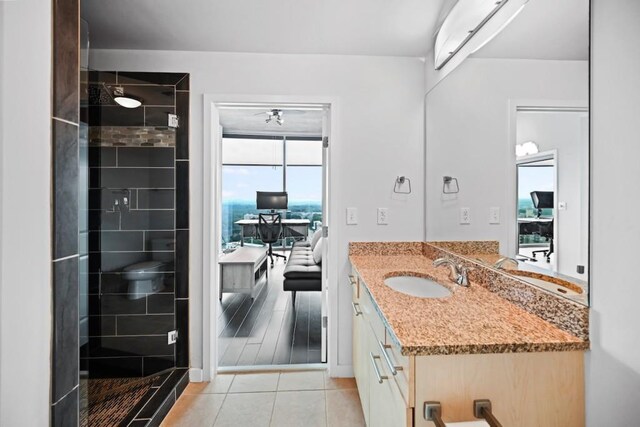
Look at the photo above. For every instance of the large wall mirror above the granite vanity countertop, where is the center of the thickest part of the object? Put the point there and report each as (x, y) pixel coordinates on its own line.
(509, 127)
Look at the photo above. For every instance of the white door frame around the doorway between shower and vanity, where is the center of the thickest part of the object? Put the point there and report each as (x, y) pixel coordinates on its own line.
(211, 226)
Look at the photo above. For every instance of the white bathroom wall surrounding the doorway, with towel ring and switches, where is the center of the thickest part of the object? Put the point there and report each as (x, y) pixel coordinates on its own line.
(380, 136)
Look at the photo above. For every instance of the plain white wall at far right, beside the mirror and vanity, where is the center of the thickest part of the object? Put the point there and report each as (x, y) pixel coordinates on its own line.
(613, 365)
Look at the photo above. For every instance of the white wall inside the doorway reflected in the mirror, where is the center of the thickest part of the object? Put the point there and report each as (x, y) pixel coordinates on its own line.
(567, 133)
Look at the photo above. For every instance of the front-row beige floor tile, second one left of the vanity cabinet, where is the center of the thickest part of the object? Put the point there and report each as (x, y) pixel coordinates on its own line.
(299, 408)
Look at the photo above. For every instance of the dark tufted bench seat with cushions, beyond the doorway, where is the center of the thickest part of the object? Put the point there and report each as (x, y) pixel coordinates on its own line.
(301, 272)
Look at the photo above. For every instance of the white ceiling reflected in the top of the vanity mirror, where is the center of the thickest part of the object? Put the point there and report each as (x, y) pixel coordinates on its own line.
(545, 29)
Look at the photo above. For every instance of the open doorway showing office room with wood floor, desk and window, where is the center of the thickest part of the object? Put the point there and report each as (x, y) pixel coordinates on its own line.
(272, 202)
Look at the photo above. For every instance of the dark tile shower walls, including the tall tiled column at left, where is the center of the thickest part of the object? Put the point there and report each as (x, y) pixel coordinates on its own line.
(72, 239)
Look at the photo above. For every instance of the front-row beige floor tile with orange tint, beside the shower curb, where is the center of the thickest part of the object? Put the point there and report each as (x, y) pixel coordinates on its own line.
(194, 410)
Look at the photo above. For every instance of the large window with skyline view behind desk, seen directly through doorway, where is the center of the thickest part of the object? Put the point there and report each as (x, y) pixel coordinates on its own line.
(250, 165)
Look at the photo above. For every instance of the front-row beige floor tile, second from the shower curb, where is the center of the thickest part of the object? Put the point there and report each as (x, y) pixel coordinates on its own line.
(246, 410)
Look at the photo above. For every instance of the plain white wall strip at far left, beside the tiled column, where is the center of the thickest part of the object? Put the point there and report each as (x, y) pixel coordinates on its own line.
(25, 245)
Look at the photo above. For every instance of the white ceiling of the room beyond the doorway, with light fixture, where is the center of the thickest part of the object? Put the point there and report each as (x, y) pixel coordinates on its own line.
(297, 122)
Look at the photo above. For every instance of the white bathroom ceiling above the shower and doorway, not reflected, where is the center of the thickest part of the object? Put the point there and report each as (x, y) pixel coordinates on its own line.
(349, 27)
